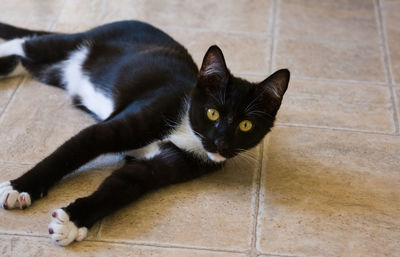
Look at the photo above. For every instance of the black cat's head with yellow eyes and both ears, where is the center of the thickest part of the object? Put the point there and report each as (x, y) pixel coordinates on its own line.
(230, 114)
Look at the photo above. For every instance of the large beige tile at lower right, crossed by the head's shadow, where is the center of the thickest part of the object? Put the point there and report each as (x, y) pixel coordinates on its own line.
(330, 193)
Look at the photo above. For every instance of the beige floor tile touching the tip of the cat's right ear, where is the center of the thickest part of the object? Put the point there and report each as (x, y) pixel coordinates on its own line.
(331, 60)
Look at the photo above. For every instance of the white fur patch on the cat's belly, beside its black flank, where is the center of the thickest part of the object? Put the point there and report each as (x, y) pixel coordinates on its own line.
(78, 84)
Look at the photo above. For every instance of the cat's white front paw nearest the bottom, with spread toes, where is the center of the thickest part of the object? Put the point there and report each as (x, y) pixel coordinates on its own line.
(63, 231)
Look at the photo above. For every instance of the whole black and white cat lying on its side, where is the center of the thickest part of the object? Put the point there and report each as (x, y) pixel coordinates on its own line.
(150, 99)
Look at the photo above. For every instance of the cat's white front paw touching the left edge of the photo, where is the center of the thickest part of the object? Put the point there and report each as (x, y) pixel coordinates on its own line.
(10, 198)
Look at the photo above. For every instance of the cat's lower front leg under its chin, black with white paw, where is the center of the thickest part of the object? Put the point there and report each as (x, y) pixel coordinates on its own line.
(121, 188)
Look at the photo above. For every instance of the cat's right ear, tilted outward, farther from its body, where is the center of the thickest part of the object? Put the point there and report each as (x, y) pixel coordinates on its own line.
(274, 87)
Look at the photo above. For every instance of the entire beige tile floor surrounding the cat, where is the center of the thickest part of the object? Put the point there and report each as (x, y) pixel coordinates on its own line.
(325, 182)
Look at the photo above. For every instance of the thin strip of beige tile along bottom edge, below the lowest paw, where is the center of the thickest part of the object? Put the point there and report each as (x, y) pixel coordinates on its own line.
(43, 248)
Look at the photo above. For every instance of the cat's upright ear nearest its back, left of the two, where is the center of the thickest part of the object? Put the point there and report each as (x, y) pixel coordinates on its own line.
(213, 70)
